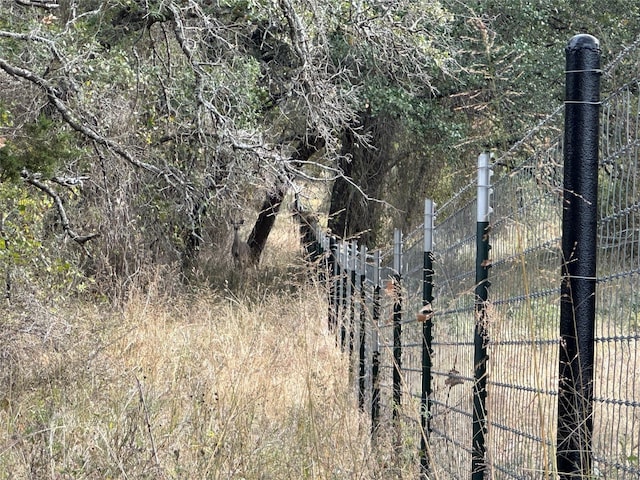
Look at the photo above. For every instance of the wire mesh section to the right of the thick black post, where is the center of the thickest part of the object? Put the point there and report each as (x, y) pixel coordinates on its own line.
(617, 390)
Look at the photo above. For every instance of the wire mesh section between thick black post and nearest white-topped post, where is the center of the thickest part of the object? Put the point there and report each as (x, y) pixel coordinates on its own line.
(523, 315)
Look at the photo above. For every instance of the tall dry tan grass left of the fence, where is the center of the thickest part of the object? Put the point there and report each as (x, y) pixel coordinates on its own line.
(213, 385)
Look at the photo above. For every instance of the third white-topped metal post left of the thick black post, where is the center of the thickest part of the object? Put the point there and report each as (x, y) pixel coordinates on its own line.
(397, 324)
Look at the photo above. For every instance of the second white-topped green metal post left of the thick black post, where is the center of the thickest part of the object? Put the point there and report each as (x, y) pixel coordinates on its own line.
(426, 315)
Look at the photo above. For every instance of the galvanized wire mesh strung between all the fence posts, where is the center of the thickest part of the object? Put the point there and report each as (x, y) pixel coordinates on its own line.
(523, 306)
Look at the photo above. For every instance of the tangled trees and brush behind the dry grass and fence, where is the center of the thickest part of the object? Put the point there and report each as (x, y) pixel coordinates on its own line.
(134, 133)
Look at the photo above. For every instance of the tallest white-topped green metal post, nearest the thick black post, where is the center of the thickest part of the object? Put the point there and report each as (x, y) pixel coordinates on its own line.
(478, 462)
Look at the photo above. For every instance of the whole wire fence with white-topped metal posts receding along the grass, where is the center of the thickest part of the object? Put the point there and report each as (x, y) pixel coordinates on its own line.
(457, 342)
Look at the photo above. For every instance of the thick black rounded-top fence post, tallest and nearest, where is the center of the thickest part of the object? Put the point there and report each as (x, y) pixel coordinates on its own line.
(579, 227)
